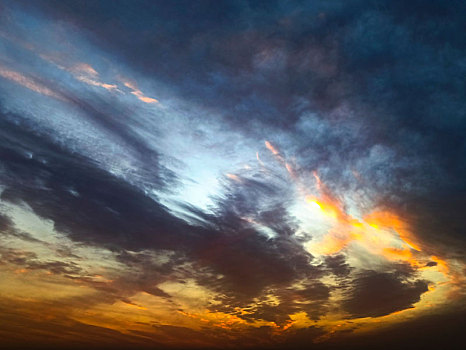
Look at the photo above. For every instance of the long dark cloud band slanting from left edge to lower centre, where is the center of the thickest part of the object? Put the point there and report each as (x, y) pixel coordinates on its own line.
(105, 211)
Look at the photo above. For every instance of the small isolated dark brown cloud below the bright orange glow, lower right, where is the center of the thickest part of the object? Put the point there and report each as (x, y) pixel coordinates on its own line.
(375, 294)
